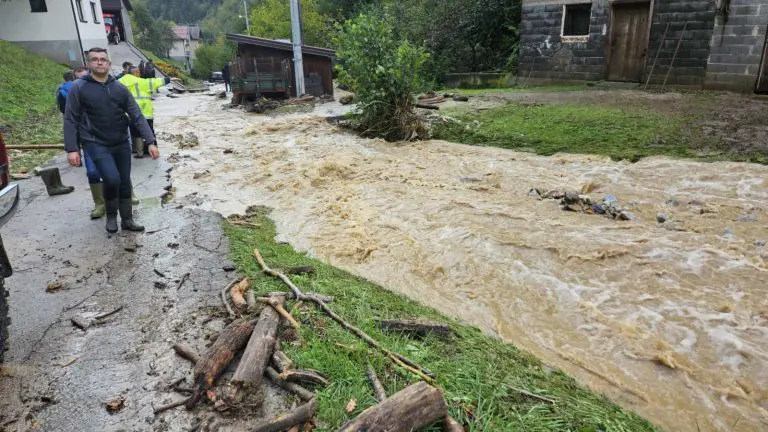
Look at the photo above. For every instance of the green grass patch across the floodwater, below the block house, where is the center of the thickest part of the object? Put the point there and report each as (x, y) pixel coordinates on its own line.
(546, 129)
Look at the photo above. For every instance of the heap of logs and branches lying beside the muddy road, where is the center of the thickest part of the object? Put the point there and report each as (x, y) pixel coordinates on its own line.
(419, 405)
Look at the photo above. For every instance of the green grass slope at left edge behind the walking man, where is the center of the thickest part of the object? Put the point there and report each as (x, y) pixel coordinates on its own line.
(28, 110)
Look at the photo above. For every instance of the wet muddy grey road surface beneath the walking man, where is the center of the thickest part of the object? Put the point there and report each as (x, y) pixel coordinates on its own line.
(60, 378)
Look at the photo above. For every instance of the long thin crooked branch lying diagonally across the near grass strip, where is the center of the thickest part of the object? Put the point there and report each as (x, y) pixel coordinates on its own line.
(398, 359)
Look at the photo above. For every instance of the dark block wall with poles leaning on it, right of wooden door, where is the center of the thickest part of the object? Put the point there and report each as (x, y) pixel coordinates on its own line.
(691, 63)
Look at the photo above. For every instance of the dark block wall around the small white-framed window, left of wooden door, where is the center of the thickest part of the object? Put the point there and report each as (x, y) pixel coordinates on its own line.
(545, 55)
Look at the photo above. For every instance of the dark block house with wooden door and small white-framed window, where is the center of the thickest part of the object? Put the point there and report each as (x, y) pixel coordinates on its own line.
(713, 44)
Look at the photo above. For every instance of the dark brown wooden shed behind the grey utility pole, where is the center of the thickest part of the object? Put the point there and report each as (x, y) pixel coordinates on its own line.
(265, 67)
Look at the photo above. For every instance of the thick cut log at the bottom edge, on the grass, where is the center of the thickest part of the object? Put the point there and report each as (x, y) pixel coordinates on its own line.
(412, 408)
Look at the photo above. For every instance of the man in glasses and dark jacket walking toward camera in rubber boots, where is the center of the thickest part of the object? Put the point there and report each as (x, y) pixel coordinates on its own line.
(99, 110)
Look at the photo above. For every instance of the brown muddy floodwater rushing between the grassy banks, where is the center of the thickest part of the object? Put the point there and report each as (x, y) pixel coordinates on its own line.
(670, 320)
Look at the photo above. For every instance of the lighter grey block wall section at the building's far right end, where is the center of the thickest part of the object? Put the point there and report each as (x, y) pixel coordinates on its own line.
(737, 46)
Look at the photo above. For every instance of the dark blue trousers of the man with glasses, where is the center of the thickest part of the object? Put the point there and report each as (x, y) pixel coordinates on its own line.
(114, 165)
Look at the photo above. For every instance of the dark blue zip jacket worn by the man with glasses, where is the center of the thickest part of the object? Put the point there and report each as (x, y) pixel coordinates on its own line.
(100, 113)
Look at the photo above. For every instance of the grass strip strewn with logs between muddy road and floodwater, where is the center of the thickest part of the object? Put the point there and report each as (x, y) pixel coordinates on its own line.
(480, 375)
